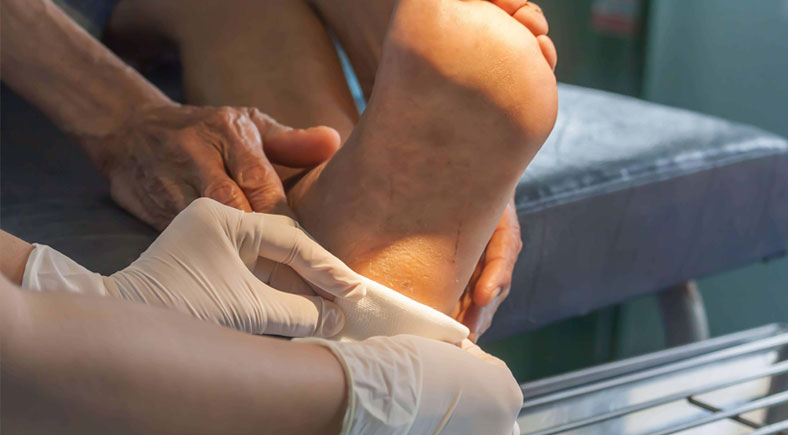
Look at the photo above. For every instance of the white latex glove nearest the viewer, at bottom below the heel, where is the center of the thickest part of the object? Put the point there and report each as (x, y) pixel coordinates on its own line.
(413, 385)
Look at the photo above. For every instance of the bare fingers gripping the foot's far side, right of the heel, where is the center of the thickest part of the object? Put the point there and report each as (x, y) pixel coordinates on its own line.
(492, 280)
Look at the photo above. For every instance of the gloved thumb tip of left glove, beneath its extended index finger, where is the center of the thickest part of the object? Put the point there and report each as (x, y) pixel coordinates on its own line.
(291, 315)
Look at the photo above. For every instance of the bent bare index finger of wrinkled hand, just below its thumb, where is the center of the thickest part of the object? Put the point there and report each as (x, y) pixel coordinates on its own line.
(251, 170)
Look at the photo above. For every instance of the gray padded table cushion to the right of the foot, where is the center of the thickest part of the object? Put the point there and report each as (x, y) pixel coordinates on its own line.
(628, 197)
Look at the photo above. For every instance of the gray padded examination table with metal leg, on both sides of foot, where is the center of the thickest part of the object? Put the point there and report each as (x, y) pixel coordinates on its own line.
(626, 198)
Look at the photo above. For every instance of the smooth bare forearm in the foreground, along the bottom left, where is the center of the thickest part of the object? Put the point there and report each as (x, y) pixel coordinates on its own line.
(75, 364)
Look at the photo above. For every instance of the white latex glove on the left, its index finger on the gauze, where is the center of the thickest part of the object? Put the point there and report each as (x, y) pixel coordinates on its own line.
(202, 265)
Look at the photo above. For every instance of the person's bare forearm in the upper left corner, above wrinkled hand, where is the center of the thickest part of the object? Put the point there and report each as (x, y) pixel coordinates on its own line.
(74, 79)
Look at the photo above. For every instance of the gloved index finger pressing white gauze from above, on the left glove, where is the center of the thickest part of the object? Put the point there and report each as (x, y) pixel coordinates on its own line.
(293, 247)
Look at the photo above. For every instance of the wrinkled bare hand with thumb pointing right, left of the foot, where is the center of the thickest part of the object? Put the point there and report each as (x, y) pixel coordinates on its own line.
(162, 159)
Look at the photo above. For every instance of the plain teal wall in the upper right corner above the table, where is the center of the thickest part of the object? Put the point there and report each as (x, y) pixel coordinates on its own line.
(727, 58)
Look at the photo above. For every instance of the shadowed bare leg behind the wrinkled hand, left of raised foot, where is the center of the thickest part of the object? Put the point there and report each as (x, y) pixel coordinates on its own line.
(273, 55)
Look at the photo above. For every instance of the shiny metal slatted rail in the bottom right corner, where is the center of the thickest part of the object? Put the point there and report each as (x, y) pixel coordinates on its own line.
(736, 384)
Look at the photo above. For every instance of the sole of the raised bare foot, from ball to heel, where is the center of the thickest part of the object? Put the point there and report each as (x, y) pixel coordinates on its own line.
(463, 99)
